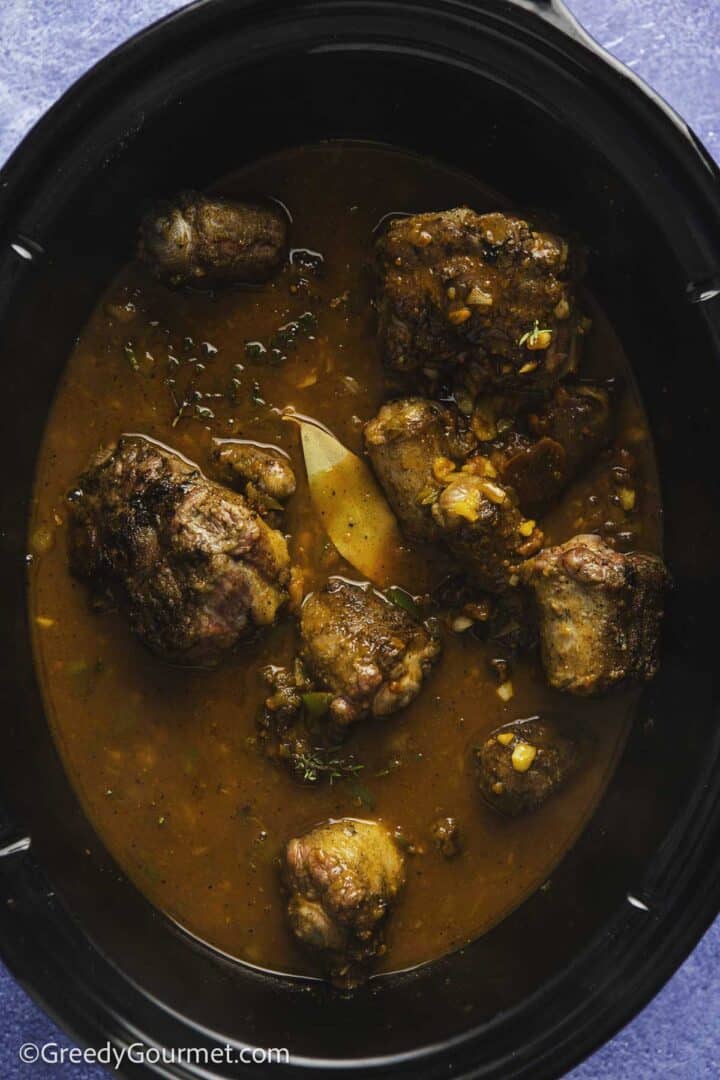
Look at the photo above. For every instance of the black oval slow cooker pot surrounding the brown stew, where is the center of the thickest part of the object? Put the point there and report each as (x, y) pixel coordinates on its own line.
(515, 93)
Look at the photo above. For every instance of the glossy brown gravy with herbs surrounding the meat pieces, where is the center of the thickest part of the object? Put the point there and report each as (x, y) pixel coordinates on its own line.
(165, 761)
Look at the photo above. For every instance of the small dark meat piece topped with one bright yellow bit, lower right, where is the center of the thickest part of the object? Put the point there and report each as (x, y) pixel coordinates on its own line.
(522, 764)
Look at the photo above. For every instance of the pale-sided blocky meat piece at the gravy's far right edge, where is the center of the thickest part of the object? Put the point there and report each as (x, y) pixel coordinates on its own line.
(600, 614)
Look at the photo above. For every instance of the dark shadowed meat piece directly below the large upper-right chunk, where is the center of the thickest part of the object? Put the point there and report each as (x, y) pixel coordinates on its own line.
(564, 437)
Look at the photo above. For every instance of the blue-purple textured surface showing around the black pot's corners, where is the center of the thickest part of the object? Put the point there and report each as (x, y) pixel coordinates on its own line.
(675, 46)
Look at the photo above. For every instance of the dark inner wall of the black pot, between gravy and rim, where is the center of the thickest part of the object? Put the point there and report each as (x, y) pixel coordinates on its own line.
(195, 124)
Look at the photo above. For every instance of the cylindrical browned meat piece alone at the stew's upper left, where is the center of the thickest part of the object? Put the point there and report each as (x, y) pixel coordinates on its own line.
(199, 240)
